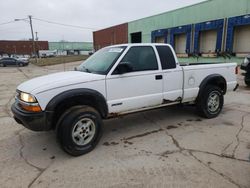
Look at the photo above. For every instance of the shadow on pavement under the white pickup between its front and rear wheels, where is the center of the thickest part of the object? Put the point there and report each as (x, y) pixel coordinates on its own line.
(163, 118)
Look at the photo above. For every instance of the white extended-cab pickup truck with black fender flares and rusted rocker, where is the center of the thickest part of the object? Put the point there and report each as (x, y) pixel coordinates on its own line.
(114, 81)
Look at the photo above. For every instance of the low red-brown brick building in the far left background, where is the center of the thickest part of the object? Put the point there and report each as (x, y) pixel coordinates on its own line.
(21, 47)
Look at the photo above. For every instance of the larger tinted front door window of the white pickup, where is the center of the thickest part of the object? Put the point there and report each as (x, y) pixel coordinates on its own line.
(141, 58)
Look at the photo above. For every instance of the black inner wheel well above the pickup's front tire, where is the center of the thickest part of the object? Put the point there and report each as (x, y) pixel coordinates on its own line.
(64, 105)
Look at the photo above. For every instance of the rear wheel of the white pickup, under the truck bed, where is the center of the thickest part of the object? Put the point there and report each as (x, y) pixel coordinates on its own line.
(210, 102)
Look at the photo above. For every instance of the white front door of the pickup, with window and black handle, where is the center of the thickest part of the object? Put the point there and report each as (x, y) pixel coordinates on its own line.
(140, 88)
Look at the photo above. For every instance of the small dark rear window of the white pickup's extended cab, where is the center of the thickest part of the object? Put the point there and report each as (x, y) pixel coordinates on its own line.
(166, 57)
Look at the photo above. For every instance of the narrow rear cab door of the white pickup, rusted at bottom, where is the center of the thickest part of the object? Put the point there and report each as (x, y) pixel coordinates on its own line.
(172, 74)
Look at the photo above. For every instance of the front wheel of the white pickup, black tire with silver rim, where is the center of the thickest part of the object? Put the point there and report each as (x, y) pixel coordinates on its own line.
(79, 130)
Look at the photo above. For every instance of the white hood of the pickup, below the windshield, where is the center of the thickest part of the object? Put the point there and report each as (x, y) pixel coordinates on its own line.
(56, 80)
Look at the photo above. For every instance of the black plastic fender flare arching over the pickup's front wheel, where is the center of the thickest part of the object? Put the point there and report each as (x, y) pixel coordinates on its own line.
(99, 99)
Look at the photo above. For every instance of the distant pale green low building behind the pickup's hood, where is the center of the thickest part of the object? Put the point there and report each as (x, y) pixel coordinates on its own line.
(71, 48)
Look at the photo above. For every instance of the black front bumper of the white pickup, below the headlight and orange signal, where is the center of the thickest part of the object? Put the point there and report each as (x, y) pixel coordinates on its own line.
(33, 121)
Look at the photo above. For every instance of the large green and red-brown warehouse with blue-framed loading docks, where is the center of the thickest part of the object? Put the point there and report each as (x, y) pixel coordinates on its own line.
(213, 28)
